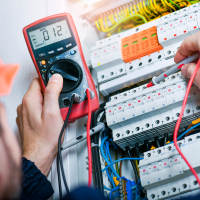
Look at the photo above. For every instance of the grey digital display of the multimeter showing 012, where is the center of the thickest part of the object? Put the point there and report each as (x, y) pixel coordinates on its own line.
(50, 34)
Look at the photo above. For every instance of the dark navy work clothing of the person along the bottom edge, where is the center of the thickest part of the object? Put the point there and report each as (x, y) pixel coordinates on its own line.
(36, 186)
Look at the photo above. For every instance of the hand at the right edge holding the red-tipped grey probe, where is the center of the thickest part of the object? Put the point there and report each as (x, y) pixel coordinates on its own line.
(189, 46)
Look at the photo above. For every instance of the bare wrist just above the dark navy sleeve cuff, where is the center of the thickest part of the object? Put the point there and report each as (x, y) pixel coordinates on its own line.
(42, 158)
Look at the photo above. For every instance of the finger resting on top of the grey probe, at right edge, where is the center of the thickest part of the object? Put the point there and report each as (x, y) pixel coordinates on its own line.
(190, 45)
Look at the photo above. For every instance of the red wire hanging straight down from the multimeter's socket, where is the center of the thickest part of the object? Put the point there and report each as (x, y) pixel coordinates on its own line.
(88, 138)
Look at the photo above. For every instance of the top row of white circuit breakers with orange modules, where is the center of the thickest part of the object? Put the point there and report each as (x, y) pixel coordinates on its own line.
(137, 54)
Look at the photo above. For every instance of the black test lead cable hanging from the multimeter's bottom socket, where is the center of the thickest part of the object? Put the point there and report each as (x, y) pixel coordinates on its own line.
(59, 157)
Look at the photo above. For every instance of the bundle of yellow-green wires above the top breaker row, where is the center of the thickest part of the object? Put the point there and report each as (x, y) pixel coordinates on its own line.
(138, 13)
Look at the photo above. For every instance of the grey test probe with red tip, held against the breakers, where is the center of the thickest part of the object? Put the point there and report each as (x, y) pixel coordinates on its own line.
(172, 70)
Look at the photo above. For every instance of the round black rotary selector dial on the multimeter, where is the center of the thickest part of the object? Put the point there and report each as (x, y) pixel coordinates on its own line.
(70, 71)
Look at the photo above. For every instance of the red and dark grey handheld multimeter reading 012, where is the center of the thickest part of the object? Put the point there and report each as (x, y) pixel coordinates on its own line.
(55, 47)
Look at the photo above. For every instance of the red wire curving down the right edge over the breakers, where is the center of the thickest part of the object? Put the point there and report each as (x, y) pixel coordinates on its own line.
(180, 118)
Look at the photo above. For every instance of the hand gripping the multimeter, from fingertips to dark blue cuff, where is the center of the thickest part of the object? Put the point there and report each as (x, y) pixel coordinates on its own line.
(39, 122)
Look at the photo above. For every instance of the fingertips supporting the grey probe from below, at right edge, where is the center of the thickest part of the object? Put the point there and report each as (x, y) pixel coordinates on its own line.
(187, 71)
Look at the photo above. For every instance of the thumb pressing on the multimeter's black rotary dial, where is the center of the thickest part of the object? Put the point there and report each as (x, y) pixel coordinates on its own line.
(52, 93)
